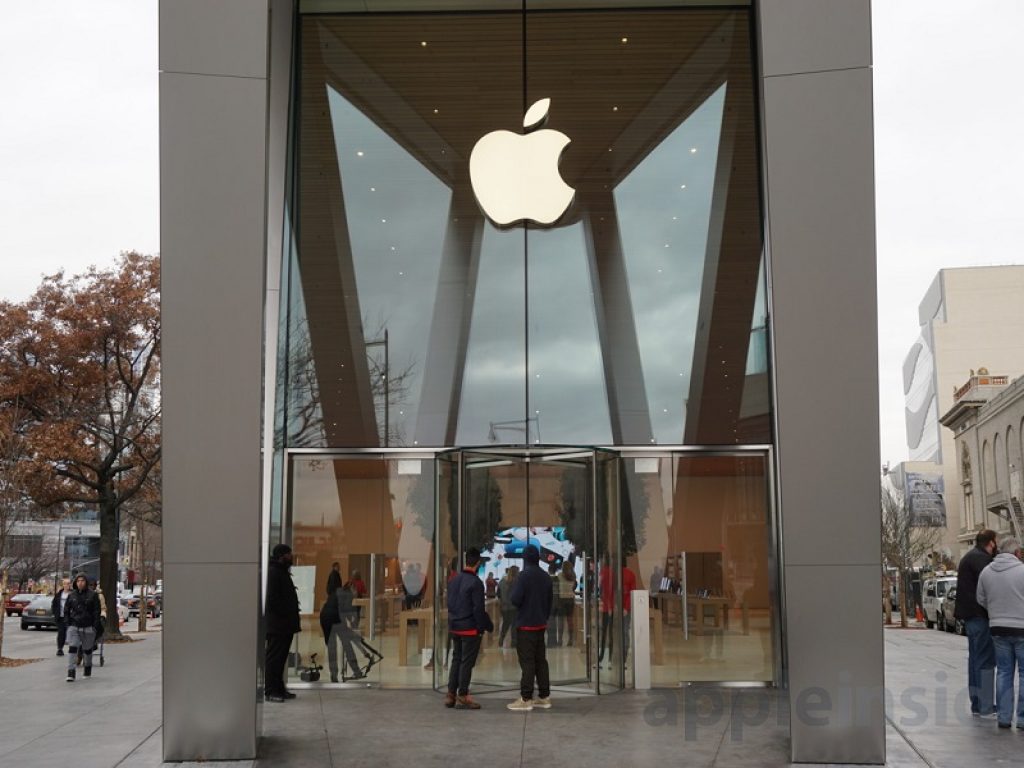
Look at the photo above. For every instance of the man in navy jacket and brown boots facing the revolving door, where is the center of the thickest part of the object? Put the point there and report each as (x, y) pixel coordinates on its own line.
(467, 622)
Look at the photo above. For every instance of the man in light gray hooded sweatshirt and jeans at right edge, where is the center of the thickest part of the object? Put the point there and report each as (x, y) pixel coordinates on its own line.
(1001, 591)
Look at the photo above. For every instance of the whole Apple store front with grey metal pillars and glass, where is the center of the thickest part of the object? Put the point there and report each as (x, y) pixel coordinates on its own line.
(583, 275)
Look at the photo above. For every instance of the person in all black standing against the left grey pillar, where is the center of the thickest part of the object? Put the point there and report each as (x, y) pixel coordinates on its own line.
(282, 613)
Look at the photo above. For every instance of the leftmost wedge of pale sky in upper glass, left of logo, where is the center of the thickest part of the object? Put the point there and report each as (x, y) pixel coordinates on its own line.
(397, 212)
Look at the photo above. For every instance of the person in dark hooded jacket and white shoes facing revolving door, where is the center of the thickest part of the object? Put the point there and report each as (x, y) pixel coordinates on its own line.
(532, 596)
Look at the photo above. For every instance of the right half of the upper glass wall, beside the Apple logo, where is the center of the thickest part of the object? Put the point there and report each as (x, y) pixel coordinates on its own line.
(642, 296)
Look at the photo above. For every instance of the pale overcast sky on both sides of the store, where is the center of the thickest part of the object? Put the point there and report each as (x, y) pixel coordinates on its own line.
(79, 149)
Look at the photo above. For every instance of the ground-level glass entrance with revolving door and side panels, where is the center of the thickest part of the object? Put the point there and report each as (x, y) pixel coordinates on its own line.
(693, 529)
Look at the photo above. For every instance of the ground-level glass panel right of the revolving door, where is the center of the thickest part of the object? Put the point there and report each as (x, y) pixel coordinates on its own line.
(703, 550)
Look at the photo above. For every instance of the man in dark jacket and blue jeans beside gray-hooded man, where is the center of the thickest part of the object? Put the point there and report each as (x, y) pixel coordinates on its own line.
(980, 652)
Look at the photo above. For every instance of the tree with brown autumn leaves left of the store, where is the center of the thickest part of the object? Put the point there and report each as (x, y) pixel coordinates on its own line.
(82, 358)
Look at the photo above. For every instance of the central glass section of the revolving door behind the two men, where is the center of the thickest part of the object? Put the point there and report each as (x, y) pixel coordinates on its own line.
(516, 499)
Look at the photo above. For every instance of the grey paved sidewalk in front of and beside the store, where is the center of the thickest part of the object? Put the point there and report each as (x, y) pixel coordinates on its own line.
(47, 722)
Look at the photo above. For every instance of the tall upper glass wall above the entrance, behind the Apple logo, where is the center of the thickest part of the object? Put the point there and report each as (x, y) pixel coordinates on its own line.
(634, 318)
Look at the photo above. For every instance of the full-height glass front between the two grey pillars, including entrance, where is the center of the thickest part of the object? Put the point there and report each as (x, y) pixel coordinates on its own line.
(444, 380)
